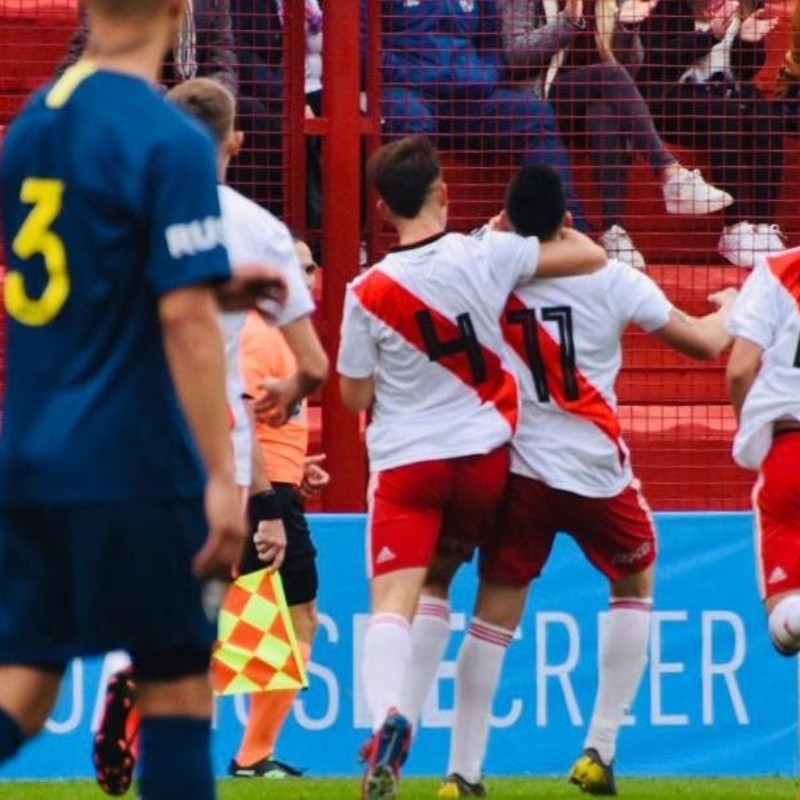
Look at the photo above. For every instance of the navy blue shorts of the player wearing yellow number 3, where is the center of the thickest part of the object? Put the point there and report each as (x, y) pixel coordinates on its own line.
(81, 580)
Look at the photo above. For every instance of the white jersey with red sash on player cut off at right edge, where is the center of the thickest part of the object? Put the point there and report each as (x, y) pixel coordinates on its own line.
(767, 313)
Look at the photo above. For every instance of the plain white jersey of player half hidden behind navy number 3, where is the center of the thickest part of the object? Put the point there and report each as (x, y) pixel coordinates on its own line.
(253, 237)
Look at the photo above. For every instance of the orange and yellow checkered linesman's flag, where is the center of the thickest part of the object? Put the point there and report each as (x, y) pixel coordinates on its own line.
(256, 650)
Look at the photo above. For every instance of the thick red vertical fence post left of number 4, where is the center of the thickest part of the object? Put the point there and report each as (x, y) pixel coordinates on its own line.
(341, 170)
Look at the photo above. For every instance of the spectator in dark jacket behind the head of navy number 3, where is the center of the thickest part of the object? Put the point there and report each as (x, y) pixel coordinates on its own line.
(204, 49)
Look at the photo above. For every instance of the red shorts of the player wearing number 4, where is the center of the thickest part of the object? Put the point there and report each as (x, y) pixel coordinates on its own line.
(445, 506)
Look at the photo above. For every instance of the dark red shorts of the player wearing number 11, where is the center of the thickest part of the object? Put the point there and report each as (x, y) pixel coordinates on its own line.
(615, 533)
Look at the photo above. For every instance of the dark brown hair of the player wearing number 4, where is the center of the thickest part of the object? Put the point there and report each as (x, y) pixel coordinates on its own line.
(403, 173)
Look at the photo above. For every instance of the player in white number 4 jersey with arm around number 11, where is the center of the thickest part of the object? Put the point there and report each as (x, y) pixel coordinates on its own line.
(422, 346)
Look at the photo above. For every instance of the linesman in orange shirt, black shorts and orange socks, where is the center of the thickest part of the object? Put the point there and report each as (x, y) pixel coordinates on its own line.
(265, 358)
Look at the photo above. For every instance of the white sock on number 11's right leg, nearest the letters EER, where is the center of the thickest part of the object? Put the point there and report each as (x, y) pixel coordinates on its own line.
(623, 656)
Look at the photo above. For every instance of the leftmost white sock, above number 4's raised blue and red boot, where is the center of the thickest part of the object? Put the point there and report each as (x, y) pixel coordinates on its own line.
(387, 656)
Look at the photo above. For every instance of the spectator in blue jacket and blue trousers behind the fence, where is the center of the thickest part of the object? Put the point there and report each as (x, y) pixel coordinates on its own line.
(443, 73)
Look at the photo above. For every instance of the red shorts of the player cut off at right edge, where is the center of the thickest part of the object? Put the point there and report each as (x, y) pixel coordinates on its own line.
(776, 502)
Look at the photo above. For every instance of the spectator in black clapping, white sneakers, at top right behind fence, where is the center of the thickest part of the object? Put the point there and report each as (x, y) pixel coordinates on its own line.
(697, 76)
